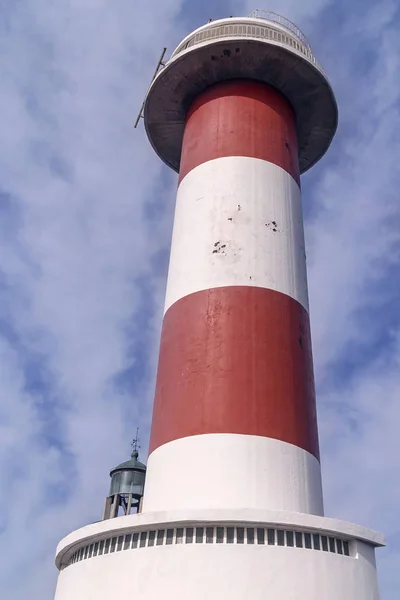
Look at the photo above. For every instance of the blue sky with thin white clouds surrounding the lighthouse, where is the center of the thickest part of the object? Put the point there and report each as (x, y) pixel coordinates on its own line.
(86, 212)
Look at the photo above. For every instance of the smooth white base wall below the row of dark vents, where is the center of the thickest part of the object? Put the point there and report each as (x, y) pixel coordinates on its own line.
(237, 572)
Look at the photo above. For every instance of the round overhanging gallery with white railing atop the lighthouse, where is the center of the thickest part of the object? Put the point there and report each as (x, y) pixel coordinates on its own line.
(264, 47)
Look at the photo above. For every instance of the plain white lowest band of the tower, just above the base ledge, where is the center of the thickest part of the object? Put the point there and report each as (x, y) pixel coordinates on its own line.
(232, 471)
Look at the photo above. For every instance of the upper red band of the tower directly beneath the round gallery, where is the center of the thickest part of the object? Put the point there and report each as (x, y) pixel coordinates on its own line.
(240, 118)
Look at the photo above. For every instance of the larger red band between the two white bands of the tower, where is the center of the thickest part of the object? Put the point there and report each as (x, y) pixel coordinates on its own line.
(236, 360)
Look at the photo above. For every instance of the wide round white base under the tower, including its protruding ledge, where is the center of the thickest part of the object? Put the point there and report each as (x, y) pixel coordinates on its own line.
(209, 570)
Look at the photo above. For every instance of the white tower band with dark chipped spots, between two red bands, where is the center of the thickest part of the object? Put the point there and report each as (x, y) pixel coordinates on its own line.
(210, 250)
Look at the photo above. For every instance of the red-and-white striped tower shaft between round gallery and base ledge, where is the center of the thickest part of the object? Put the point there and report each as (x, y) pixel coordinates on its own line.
(234, 421)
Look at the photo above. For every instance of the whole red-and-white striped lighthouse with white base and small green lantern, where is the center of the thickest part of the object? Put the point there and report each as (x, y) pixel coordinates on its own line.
(232, 504)
